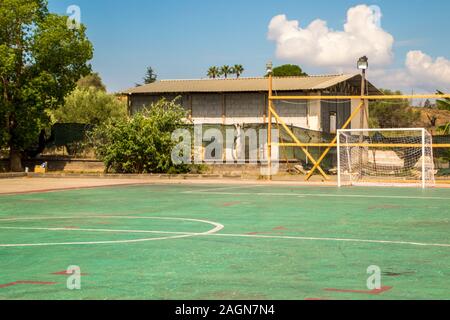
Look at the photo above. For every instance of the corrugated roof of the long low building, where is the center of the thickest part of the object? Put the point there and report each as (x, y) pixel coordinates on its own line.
(246, 84)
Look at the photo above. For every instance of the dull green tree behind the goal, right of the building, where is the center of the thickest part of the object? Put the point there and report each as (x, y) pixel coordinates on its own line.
(392, 113)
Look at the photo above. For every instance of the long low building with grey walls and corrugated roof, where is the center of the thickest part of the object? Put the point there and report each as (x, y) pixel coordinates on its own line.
(244, 100)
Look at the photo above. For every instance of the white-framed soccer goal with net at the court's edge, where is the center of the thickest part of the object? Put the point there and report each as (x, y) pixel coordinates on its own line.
(385, 157)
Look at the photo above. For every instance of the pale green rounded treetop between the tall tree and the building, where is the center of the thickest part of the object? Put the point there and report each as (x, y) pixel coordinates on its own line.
(91, 106)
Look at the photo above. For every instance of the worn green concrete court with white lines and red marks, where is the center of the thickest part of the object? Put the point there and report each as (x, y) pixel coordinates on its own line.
(188, 241)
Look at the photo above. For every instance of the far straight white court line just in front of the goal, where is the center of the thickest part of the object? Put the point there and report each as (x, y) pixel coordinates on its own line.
(320, 195)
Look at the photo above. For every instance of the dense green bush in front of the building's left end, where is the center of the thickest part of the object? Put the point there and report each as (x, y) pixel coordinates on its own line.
(142, 143)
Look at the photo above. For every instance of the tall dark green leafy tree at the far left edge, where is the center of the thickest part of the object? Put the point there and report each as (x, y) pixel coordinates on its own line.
(41, 59)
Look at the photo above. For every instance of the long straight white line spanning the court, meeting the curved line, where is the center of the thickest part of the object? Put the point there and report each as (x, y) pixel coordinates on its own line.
(190, 234)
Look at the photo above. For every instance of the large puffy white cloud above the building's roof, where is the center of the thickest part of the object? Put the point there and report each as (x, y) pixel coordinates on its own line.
(317, 45)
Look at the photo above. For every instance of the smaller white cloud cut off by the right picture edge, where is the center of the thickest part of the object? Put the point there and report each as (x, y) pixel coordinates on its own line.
(428, 73)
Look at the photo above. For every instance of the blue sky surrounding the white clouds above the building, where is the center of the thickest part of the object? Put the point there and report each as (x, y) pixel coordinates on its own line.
(181, 39)
